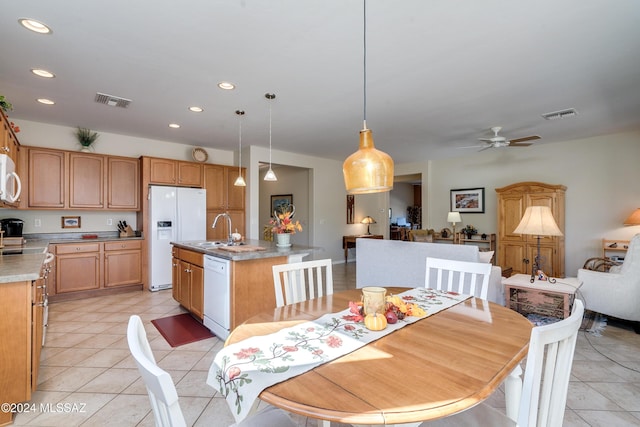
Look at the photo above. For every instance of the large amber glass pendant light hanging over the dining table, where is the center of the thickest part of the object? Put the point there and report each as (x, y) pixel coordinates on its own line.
(368, 170)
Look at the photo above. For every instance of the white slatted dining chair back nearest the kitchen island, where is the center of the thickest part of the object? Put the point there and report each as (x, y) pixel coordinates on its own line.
(301, 281)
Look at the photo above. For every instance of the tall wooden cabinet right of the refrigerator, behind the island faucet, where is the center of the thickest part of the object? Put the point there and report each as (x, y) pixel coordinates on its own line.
(223, 196)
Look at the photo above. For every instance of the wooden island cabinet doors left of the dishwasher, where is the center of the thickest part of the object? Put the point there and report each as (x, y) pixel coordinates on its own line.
(188, 280)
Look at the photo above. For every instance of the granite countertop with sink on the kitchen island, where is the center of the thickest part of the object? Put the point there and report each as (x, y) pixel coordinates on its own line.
(270, 250)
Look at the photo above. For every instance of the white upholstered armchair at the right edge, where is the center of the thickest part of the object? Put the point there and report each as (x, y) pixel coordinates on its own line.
(616, 293)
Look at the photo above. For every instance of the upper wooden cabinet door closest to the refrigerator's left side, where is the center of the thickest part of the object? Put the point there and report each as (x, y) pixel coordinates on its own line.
(123, 192)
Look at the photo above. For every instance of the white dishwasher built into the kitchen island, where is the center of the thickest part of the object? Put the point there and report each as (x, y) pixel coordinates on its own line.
(217, 281)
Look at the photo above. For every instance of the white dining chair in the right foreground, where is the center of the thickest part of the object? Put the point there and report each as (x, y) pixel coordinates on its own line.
(543, 395)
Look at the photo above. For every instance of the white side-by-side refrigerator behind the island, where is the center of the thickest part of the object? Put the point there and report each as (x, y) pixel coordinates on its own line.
(176, 214)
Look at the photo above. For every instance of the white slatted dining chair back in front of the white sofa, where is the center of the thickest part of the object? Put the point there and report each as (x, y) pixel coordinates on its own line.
(458, 276)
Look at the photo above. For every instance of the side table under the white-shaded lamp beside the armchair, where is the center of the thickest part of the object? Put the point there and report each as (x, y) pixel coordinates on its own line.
(540, 297)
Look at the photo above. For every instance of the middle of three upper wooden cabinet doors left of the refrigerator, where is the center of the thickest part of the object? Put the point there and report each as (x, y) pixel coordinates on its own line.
(86, 181)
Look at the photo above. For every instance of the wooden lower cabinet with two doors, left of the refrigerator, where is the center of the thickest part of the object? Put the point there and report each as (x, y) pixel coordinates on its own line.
(88, 269)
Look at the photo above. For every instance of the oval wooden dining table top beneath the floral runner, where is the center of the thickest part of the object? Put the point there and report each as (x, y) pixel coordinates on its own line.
(438, 366)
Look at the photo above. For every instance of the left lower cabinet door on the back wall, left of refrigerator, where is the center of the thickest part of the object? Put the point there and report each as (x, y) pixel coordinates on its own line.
(78, 272)
